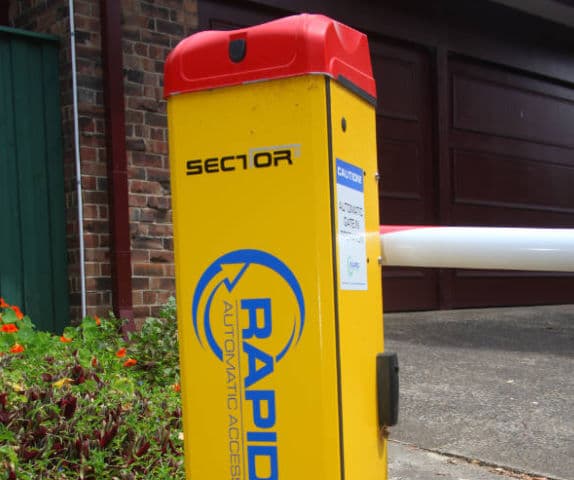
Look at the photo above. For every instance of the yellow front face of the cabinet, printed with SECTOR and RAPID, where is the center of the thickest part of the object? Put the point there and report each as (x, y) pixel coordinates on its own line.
(282, 210)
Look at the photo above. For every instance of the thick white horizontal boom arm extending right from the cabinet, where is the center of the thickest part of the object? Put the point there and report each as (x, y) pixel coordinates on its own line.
(529, 249)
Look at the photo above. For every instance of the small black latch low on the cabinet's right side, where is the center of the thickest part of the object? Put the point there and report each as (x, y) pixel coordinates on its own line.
(388, 389)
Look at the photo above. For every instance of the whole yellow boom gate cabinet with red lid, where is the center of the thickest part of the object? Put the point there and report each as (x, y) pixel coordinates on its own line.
(276, 230)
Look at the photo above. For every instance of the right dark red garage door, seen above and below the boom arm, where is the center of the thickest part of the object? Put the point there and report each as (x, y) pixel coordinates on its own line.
(511, 163)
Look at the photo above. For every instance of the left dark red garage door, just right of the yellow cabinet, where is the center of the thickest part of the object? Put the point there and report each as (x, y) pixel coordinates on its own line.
(404, 138)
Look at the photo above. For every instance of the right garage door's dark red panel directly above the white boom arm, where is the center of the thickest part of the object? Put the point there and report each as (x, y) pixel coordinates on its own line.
(488, 179)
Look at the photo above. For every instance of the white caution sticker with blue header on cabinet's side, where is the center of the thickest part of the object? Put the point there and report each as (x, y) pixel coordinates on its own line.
(351, 227)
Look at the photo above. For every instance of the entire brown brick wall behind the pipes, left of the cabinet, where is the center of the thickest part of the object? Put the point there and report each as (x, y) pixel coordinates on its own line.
(150, 30)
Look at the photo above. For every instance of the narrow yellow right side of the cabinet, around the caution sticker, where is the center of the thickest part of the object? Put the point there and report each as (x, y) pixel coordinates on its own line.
(360, 311)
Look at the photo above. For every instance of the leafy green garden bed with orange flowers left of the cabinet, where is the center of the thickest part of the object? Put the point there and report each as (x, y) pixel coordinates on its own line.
(87, 404)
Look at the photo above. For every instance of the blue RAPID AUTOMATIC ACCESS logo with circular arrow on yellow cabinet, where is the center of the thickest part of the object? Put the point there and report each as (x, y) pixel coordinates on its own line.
(248, 310)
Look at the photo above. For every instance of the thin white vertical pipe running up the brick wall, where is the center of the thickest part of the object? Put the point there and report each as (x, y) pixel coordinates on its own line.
(77, 157)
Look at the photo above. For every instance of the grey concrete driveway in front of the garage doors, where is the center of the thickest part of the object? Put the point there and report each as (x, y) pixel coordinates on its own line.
(485, 394)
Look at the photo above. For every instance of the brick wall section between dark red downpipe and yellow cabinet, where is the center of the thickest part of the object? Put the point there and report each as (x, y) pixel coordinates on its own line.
(151, 30)
